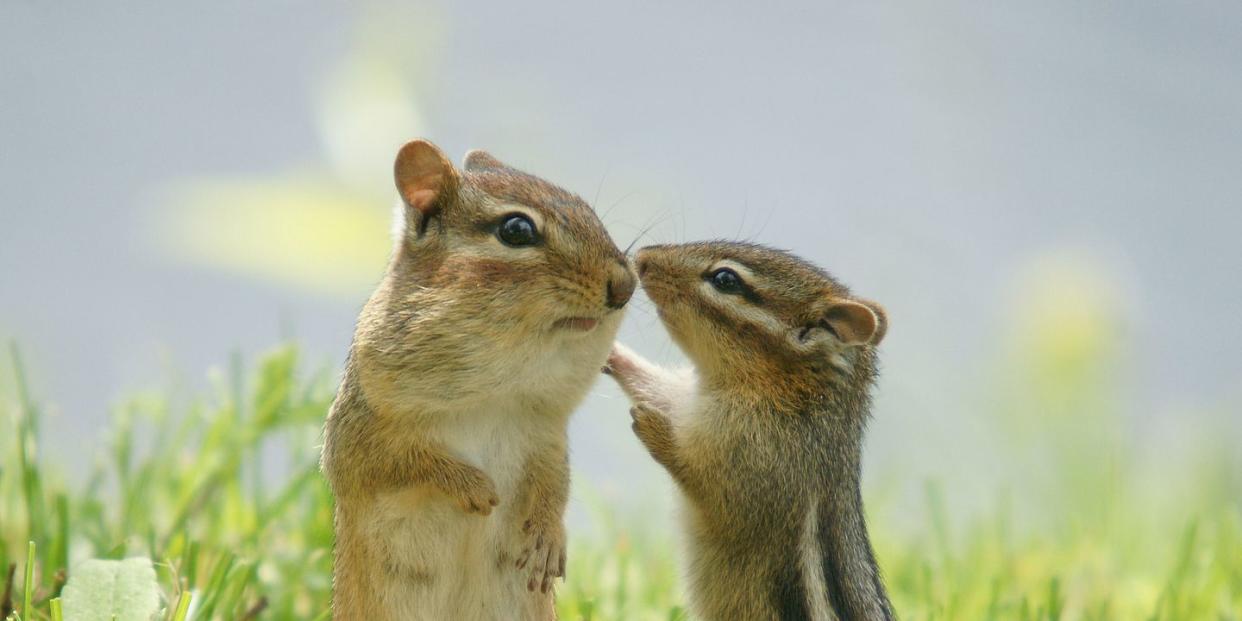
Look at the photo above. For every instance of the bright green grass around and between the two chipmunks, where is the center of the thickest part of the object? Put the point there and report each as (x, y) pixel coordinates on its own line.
(183, 485)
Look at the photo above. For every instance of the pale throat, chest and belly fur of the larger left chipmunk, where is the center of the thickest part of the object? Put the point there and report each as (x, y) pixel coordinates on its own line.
(427, 532)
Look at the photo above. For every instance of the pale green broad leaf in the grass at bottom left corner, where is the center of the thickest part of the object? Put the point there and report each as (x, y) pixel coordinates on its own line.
(102, 591)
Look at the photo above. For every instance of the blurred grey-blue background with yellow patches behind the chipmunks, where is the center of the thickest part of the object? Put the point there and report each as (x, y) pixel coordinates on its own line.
(1046, 198)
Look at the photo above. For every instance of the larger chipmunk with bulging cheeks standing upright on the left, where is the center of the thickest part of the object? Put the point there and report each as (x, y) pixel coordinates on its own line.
(446, 446)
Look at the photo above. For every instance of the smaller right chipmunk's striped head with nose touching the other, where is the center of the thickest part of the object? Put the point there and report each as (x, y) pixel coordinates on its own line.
(751, 314)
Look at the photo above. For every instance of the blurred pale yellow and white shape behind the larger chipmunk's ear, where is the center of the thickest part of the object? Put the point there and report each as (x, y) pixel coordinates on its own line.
(325, 229)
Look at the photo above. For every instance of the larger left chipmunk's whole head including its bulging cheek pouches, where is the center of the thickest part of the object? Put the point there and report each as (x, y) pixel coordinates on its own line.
(500, 280)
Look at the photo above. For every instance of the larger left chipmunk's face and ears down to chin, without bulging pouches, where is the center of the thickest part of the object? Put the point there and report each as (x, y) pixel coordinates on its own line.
(521, 248)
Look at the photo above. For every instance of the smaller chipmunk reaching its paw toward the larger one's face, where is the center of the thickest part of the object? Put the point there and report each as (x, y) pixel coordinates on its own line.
(764, 437)
